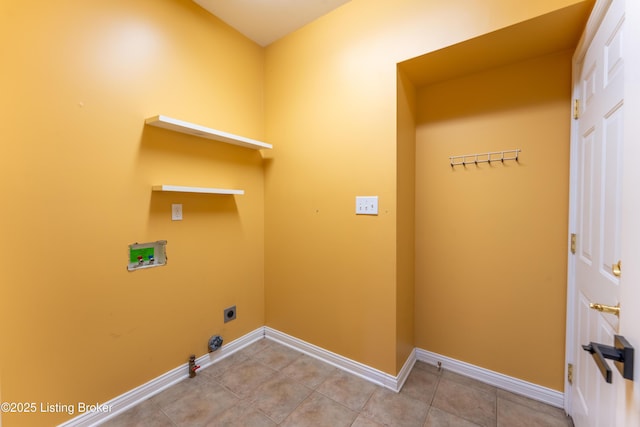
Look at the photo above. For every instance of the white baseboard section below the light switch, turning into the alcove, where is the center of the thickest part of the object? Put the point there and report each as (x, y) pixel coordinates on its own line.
(368, 373)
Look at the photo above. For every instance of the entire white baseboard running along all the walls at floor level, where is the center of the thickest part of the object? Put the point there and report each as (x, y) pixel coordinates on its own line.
(133, 397)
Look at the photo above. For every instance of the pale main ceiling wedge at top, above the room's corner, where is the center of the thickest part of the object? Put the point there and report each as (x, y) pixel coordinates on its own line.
(265, 21)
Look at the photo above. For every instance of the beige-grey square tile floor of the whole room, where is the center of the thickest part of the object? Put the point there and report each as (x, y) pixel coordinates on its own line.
(268, 384)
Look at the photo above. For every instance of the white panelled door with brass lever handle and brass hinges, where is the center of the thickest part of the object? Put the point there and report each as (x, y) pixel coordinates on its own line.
(598, 145)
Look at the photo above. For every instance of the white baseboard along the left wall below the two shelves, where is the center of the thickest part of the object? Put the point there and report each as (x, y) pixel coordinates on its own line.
(139, 394)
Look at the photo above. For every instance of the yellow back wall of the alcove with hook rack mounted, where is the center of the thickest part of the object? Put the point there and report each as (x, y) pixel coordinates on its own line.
(491, 240)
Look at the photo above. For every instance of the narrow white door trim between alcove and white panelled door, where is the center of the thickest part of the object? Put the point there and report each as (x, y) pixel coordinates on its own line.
(595, 20)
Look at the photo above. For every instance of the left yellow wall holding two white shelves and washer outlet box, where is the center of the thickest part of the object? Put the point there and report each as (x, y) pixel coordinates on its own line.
(77, 165)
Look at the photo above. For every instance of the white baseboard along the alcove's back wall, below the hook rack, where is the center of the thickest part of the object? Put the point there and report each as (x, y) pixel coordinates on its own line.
(505, 382)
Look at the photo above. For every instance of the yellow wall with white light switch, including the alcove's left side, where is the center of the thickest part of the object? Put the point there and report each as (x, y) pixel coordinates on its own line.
(333, 278)
